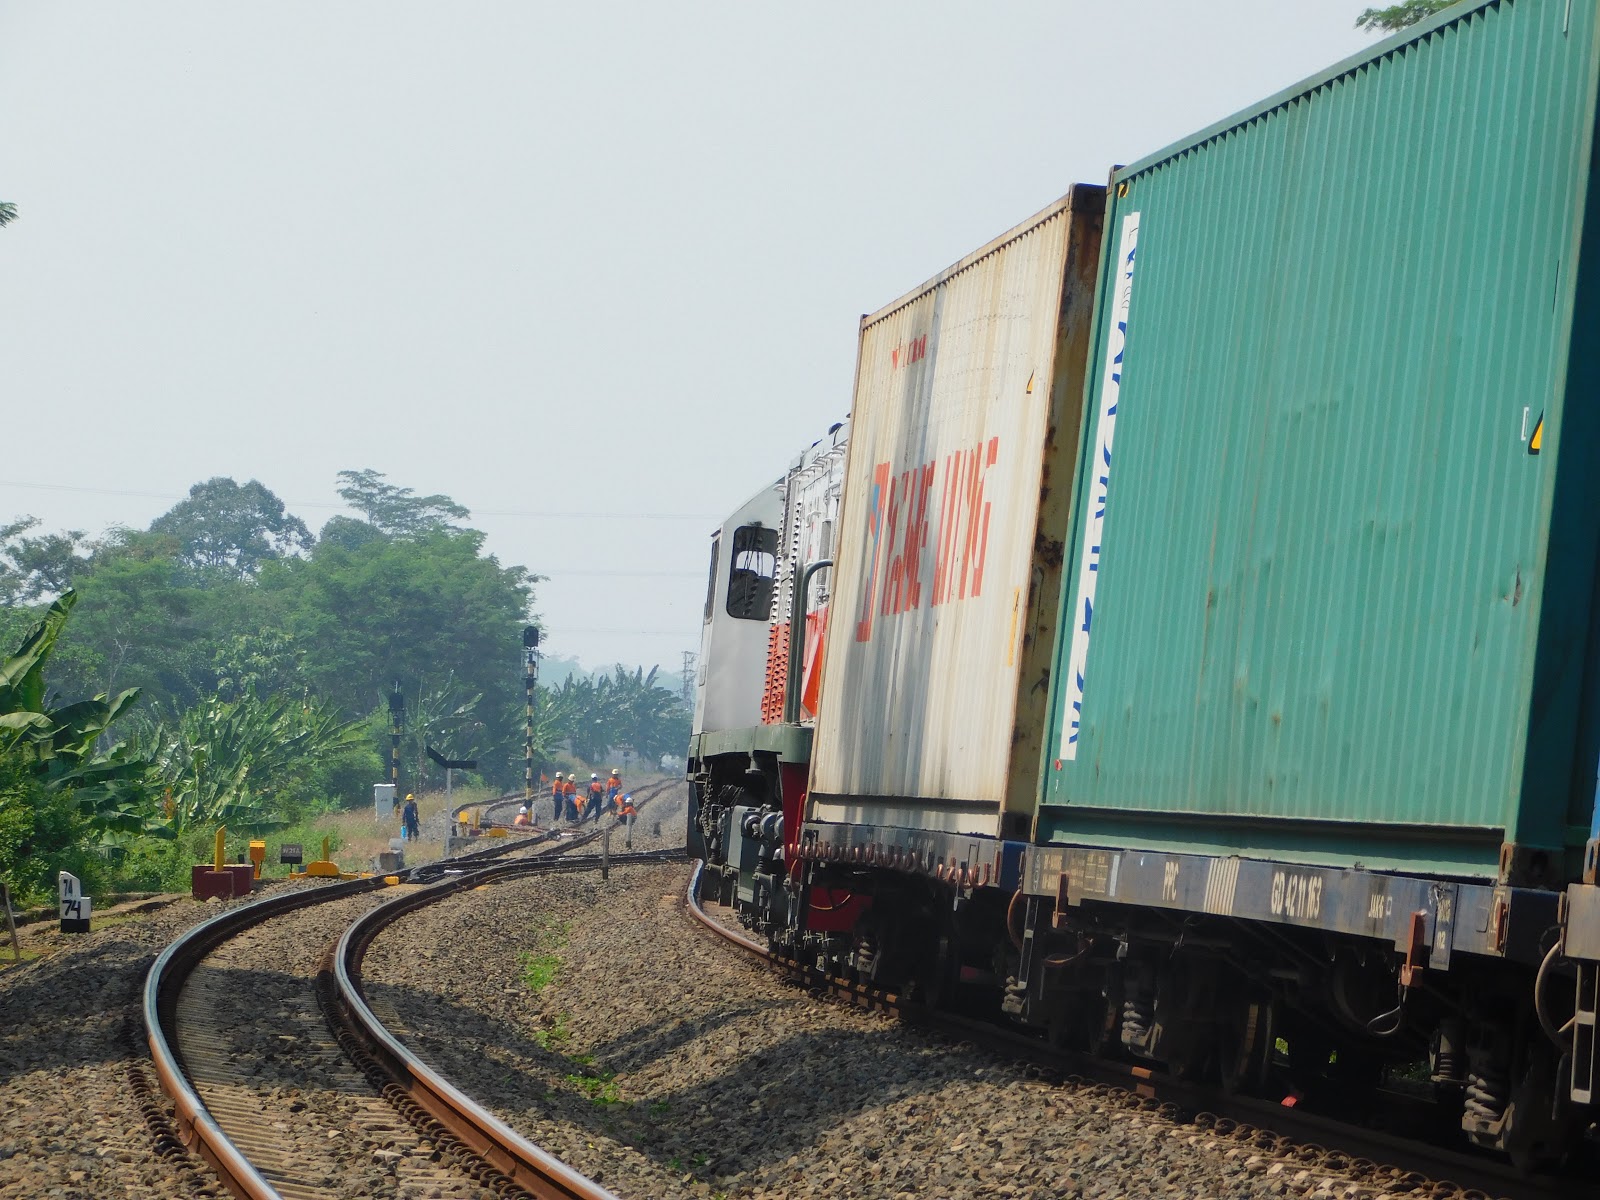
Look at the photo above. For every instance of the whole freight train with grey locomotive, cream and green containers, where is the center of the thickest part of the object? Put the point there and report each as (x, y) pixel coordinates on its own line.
(1191, 647)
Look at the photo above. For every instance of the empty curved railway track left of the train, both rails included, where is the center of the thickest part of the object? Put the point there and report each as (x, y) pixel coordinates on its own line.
(289, 1086)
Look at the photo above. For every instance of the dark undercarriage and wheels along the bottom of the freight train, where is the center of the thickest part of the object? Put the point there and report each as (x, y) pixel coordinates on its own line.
(1207, 966)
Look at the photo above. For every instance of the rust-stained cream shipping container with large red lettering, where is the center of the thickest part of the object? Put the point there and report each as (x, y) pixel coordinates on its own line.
(950, 553)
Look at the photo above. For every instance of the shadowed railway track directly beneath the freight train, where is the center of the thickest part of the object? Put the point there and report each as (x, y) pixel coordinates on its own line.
(1359, 1162)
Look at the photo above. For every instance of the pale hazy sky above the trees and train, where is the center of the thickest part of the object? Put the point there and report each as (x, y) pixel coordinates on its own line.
(594, 271)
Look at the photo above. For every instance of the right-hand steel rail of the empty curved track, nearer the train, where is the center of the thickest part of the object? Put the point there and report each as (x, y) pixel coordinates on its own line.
(490, 1138)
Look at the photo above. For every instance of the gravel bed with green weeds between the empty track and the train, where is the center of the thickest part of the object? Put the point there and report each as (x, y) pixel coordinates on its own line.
(663, 1065)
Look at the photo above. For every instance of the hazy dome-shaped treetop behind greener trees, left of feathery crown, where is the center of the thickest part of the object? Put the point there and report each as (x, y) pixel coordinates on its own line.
(233, 529)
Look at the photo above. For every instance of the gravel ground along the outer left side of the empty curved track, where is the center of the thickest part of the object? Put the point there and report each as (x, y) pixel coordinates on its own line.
(71, 1049)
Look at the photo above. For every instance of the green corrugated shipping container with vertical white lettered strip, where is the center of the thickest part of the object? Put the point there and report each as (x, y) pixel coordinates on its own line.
(1324, 604)
